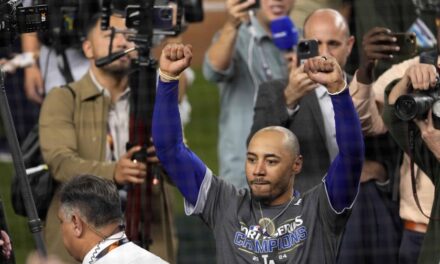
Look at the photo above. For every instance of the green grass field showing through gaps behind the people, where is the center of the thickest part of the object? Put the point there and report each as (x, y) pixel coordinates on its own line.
(201, 134)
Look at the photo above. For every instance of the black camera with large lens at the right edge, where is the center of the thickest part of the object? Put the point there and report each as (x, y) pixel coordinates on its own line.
(416, 105)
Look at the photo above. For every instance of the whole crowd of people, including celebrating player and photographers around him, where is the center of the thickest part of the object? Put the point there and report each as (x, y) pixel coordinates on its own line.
(315, 166)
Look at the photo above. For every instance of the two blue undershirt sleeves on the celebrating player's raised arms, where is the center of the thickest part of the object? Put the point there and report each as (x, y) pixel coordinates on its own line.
(188, 171)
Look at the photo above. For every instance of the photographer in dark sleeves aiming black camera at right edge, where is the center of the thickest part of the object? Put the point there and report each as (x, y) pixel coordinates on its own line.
(419, 78)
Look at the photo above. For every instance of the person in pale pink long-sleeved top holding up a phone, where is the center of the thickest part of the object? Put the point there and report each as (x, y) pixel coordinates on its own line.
(368, 98)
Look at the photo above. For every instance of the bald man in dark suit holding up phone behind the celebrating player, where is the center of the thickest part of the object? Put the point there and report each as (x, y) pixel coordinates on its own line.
(300, 102)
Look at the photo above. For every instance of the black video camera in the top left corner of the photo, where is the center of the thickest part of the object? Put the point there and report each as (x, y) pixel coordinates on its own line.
(15, 19)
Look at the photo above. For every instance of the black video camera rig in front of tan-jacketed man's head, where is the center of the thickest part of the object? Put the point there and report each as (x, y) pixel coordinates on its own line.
(148, 18)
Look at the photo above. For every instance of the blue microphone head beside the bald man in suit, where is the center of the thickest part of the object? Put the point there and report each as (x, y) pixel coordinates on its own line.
(284, 33)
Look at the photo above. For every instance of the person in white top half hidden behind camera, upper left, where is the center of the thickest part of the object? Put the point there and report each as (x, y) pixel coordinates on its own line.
(60, 58)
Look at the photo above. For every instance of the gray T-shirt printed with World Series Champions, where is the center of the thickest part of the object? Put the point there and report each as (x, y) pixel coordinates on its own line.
(308, 231)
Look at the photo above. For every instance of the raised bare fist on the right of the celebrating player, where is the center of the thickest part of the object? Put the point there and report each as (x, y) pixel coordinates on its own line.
(326, 71)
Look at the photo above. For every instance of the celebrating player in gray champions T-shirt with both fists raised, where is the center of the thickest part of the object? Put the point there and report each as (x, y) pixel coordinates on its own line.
(270, 222)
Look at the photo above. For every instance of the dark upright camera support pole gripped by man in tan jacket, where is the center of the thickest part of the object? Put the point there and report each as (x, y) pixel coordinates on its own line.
(138, 212)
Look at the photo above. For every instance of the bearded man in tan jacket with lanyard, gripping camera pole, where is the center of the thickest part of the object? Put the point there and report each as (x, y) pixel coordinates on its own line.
(85, 129)
